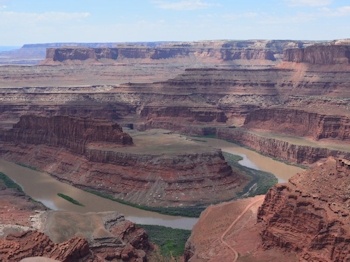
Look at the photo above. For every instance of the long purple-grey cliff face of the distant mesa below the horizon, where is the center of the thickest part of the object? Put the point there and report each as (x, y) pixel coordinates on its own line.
(156, 53)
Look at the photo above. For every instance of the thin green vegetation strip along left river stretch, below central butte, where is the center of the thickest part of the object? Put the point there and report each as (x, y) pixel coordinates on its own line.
(192, 211)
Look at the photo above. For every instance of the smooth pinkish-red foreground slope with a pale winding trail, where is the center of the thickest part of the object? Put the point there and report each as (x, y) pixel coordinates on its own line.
(227, 228)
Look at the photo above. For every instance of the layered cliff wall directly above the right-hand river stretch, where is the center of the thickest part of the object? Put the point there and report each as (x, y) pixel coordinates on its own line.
(284, 150)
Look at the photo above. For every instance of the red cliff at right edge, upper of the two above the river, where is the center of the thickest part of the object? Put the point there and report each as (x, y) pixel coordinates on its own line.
(300, 123)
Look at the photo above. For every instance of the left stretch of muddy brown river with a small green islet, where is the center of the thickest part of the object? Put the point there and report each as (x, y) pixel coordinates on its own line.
(42, 187)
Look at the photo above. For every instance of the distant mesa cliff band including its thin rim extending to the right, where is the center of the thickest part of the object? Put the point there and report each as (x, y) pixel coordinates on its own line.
(204, 51)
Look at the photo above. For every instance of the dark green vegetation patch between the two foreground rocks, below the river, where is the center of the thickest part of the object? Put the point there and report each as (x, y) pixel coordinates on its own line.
(170, 241)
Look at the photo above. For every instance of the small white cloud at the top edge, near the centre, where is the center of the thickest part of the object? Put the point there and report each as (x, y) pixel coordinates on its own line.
(182, 5)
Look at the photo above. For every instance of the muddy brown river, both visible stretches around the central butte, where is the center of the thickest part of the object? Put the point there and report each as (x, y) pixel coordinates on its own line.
(42, 187)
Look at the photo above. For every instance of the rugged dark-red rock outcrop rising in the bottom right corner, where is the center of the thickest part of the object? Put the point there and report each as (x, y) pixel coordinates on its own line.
(310, 214)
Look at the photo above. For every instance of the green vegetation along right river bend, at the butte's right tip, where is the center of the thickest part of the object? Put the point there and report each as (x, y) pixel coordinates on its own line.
(260, 181)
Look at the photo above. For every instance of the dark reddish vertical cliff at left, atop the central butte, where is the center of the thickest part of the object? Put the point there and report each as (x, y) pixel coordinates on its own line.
(64, 131)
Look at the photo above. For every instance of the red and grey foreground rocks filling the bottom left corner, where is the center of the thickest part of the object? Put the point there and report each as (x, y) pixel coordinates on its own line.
(66, 236)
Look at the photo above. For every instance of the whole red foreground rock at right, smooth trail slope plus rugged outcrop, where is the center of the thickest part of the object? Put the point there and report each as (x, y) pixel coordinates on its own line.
(306, 219)
